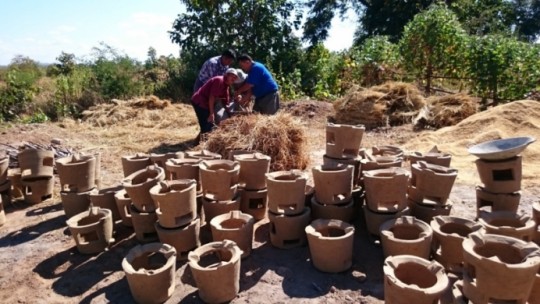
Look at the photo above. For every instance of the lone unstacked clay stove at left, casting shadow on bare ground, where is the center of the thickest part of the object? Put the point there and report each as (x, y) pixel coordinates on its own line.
(92, 230)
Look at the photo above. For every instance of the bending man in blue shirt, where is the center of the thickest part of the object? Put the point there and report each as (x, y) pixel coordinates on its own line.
(262, 85)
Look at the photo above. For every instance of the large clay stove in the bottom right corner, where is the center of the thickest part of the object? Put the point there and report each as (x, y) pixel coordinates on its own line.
(498, 267)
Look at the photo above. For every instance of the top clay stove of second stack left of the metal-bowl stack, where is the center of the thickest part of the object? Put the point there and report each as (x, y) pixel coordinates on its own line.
(386, 189)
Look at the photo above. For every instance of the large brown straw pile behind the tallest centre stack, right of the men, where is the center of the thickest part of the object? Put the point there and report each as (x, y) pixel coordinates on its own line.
(393, 103)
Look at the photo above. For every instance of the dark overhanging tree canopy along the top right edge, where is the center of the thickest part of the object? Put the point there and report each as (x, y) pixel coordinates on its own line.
(388, 17)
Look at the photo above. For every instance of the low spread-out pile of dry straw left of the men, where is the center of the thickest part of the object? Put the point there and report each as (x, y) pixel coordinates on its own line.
(147, 112)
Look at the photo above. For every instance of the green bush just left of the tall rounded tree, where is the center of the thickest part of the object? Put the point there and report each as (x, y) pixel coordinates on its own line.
(375, 60)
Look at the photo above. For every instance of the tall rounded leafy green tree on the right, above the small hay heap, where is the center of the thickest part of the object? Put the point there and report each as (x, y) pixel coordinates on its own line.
(434, 43)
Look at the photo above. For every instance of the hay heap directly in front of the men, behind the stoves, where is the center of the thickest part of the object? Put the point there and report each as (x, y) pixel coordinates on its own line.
(280, 136)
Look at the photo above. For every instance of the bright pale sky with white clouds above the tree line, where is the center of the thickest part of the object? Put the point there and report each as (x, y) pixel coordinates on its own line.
(41, 30)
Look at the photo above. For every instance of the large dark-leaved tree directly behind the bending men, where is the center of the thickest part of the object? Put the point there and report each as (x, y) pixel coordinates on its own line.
(263, 29)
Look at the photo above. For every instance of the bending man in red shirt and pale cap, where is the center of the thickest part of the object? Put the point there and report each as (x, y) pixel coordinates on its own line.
(205, 99)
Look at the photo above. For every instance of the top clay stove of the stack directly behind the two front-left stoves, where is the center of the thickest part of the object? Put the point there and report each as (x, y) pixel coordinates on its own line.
(176, 201)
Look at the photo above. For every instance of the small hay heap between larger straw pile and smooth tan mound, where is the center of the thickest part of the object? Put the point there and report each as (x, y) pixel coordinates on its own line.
(444, 111)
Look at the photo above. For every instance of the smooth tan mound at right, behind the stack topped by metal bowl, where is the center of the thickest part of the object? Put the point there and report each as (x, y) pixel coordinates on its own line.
(515, 119)
